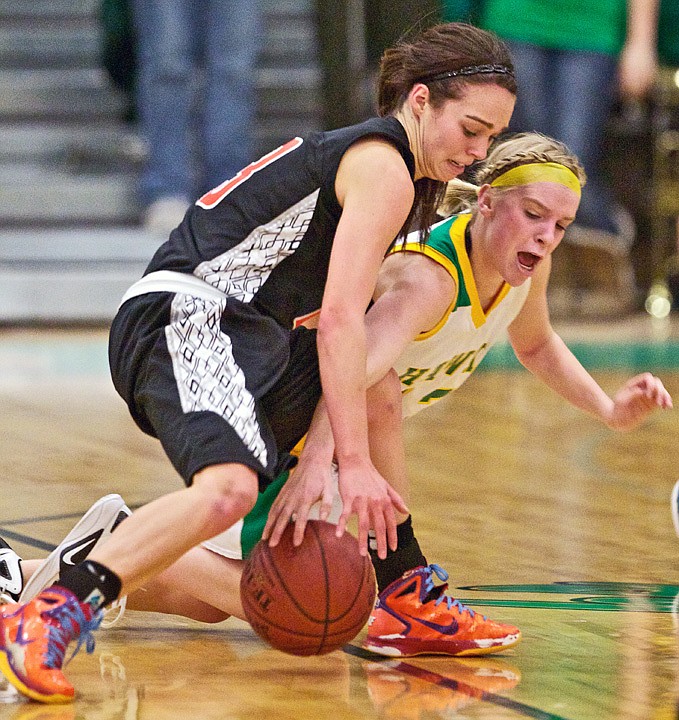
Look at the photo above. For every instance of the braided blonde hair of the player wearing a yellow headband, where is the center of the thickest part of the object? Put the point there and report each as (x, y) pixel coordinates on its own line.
(519, 149)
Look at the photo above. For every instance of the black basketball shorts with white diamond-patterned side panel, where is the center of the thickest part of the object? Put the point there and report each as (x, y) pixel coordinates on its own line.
(214, 380)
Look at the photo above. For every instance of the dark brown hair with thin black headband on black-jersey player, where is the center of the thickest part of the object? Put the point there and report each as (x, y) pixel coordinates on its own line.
(440, 50)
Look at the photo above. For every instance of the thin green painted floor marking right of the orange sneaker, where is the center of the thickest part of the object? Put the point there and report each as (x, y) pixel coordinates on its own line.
(602, 596)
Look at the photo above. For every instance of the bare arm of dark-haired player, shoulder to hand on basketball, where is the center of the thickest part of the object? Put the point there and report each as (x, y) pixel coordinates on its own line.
(376, 194)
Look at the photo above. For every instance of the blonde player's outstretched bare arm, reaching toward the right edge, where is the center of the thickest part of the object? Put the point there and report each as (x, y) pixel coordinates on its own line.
(544, 353)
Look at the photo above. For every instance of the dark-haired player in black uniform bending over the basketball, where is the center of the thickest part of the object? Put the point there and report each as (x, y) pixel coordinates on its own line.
(209, 349)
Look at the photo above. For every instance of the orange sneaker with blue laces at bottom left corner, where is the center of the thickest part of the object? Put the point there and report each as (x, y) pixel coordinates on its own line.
(34, 638)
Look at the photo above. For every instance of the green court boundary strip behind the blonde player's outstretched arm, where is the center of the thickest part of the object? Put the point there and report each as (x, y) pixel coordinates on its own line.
(649, 355)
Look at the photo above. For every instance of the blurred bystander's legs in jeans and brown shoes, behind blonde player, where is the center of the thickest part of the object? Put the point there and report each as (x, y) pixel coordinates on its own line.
(569, 95)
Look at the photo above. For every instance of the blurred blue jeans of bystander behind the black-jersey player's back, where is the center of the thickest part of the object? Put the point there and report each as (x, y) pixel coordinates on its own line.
(195, 92)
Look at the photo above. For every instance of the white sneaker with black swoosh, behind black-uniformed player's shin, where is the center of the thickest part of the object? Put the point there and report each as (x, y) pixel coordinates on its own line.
(95, 526)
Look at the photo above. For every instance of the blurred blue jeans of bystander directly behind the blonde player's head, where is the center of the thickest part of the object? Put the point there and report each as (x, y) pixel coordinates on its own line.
(569, 95)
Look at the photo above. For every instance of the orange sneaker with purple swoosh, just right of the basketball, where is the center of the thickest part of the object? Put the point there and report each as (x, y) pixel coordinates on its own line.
(412, 616)
